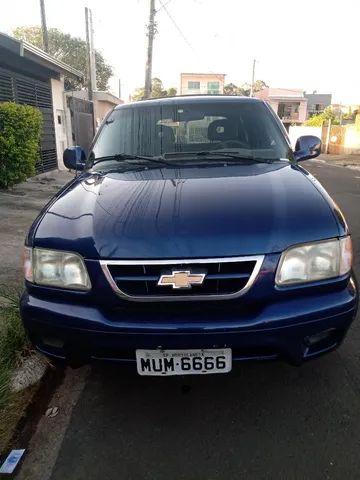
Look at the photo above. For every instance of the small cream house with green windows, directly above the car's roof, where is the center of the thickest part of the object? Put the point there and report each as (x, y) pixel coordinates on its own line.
(202, 83)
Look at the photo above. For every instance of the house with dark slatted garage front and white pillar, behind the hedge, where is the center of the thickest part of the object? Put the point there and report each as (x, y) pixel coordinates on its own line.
(30, 76)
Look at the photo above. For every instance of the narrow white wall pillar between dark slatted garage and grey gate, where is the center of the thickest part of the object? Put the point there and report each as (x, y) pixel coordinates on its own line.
(57, 89)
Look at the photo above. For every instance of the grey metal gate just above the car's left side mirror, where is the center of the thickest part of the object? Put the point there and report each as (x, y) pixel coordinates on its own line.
(82, 122)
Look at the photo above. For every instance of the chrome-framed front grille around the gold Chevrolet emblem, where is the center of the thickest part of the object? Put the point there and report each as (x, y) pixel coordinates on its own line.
(224, 278)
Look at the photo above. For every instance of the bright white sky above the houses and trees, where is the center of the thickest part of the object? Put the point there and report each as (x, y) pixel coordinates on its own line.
(306, 44)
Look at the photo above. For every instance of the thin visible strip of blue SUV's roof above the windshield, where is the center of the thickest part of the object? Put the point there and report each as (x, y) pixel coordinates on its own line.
(183, 99)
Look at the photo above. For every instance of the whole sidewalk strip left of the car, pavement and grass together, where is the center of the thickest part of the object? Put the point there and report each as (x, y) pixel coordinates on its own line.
(18, 366)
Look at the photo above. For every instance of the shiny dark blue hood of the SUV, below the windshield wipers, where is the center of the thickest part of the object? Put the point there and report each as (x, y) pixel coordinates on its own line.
(187, 212)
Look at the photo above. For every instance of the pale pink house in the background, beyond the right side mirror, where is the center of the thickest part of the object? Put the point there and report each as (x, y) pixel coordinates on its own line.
(289, 104)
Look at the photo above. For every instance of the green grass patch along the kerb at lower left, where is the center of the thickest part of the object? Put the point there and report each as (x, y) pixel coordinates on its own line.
(14, 346)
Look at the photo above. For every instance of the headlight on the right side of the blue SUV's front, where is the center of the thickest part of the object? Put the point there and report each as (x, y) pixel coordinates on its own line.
(316, 261)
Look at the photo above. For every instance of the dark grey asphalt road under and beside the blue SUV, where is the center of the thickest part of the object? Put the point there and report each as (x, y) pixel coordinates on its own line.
(262, 421)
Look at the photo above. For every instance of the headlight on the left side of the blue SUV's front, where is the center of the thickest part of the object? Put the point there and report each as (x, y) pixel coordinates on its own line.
(55, 268)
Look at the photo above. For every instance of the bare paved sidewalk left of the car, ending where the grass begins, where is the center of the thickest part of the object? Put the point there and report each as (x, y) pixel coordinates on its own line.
(19, 207)
